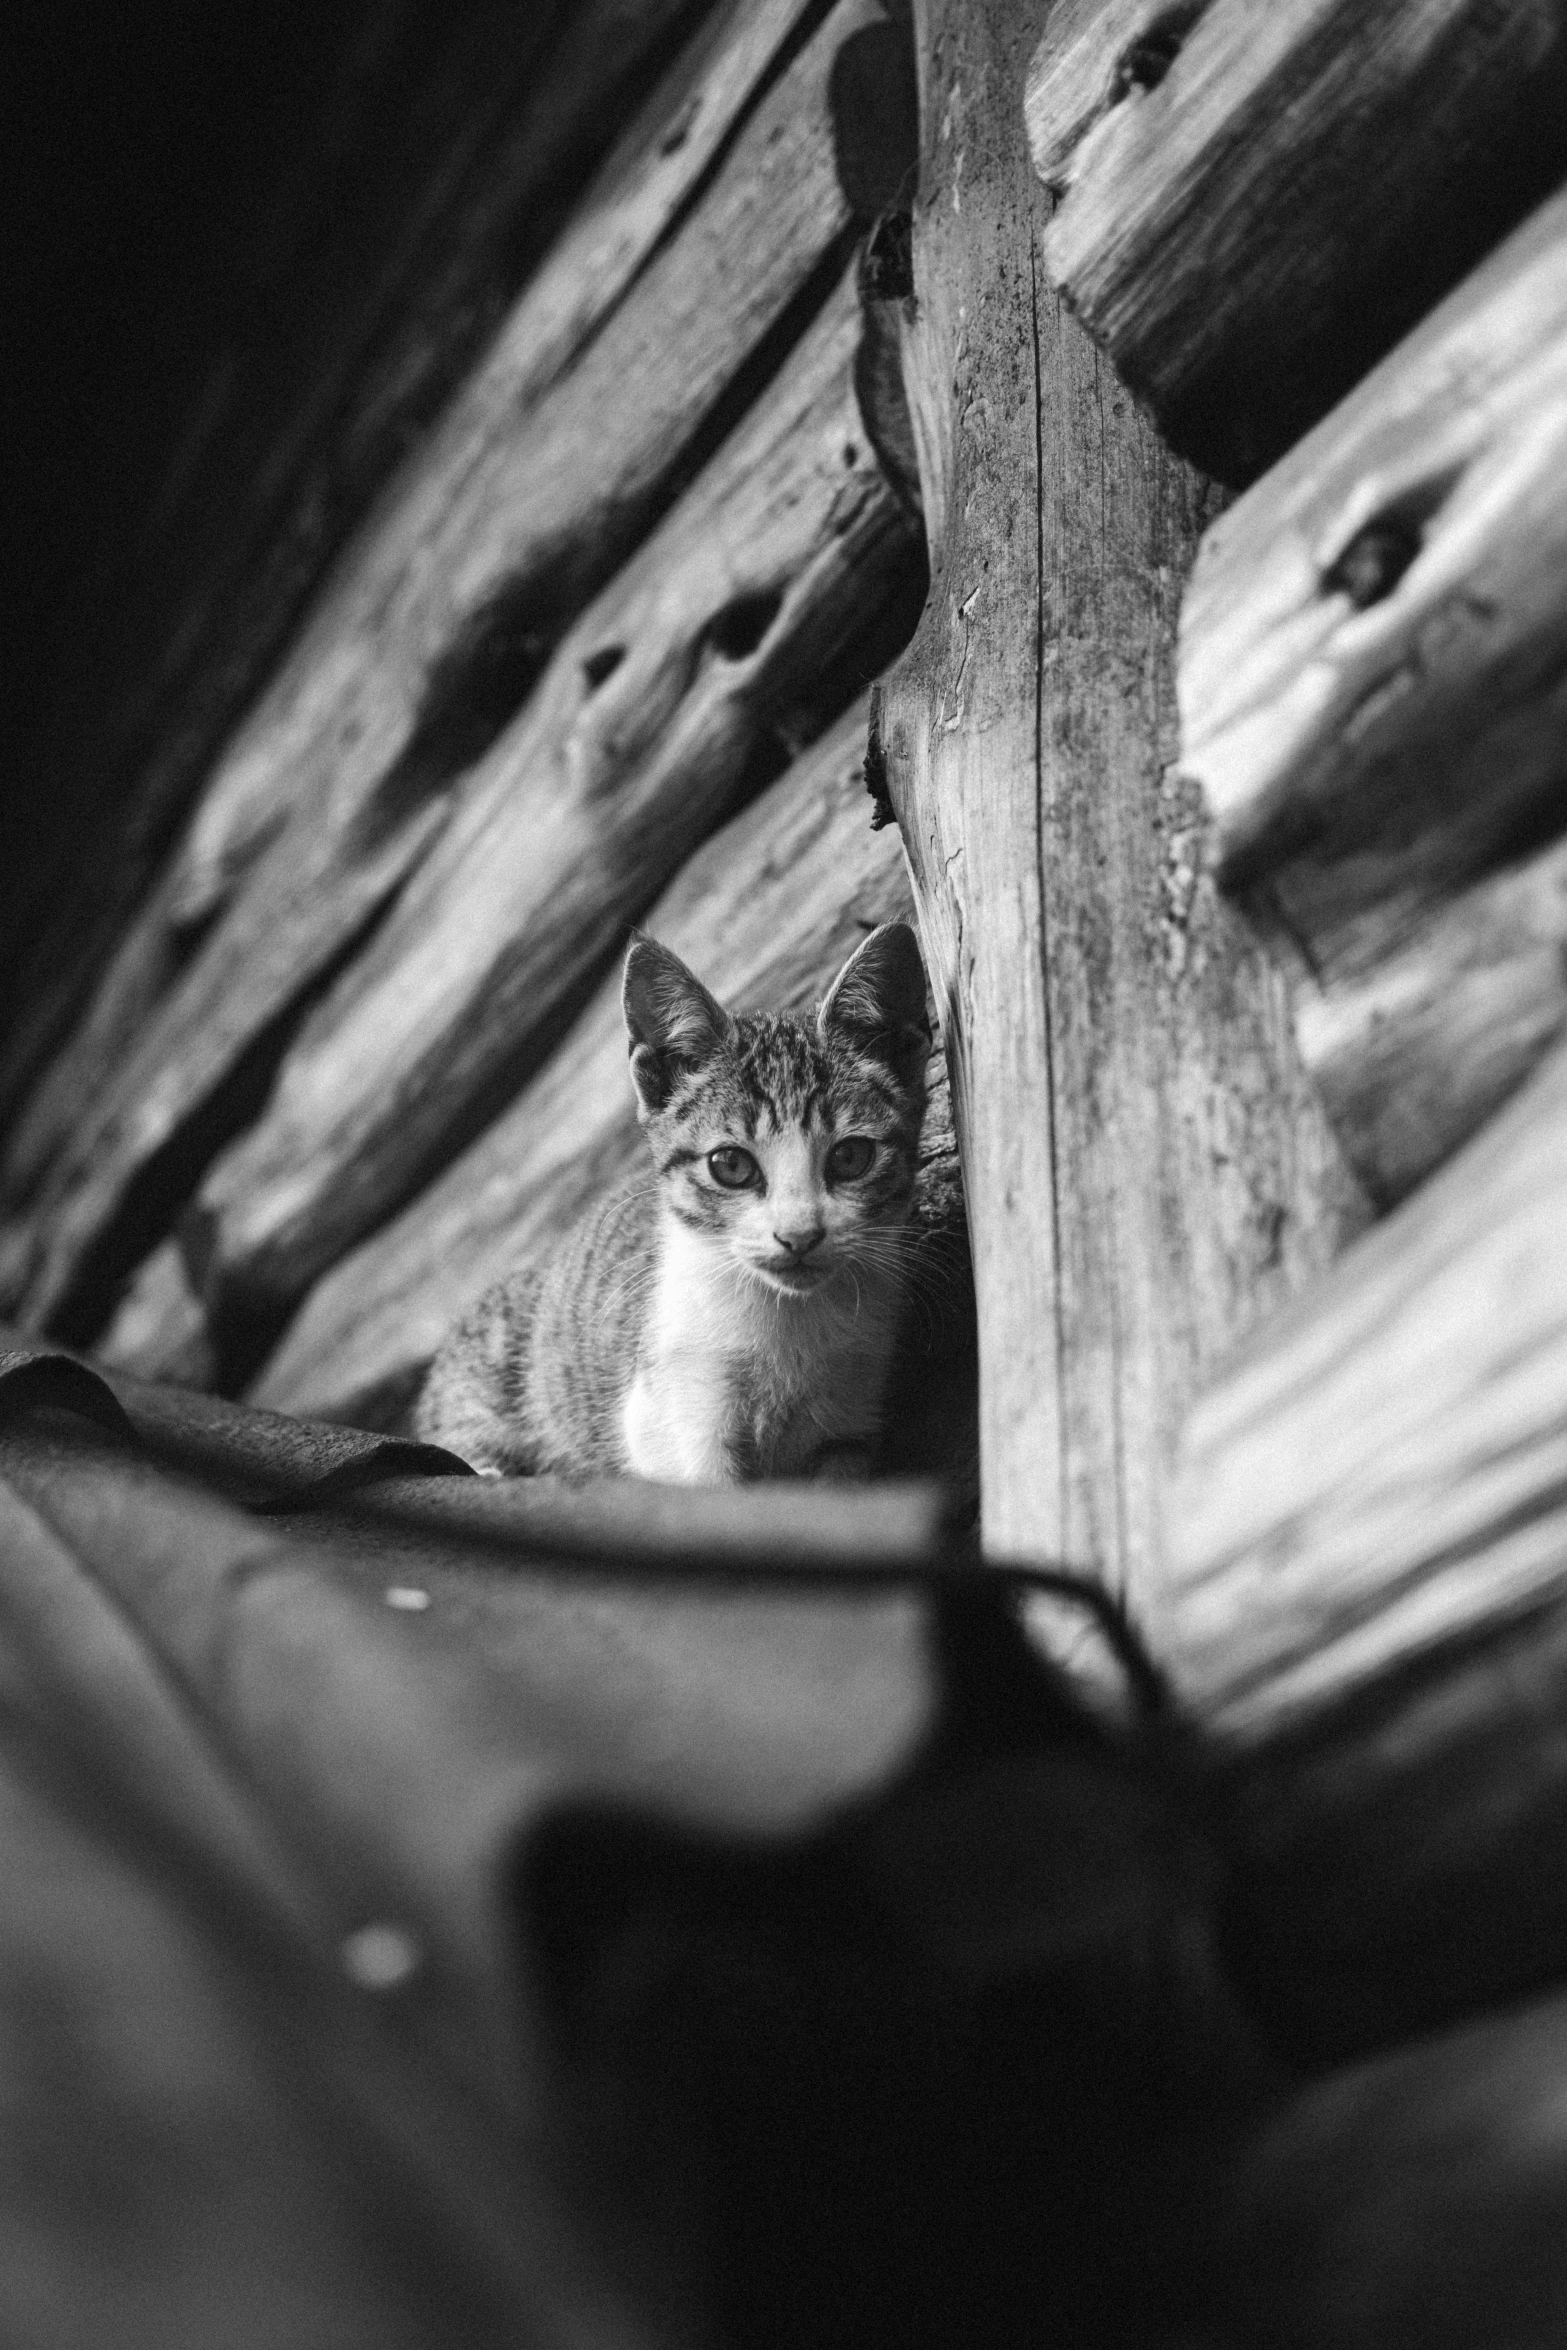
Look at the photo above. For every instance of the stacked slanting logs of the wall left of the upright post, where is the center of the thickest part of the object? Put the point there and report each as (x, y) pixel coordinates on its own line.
(523, 544)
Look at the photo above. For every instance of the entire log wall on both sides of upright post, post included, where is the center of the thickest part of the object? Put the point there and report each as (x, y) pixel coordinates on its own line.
(1164, 412)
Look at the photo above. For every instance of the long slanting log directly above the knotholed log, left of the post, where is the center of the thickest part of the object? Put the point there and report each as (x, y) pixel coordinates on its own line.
(431, 638)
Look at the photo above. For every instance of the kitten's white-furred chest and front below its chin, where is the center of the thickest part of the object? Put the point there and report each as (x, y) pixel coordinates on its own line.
(737, 1381)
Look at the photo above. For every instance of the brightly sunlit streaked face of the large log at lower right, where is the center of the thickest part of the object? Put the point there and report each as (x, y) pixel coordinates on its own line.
(1385, 1470)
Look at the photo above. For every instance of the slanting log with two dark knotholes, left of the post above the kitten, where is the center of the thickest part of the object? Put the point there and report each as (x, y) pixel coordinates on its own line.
(727, 638)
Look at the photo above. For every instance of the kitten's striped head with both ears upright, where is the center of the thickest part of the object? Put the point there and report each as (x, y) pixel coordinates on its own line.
(788, 1143)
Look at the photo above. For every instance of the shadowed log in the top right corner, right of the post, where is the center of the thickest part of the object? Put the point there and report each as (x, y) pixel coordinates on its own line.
(1260, 196)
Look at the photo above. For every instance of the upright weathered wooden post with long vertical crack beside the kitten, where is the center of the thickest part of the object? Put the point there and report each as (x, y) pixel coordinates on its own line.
(1145, 1164)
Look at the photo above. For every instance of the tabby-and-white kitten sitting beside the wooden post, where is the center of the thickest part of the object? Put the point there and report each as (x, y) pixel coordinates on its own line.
(734, 1317)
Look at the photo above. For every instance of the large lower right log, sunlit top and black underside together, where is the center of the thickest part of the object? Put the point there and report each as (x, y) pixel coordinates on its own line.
(1366, 1599)
